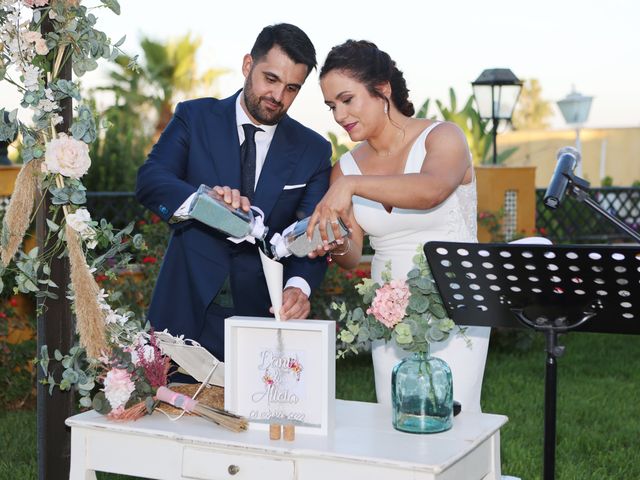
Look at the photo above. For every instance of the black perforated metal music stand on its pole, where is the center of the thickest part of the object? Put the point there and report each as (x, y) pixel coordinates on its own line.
(551, 289)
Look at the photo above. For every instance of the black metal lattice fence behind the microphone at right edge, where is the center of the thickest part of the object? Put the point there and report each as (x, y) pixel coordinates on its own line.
(575, 222)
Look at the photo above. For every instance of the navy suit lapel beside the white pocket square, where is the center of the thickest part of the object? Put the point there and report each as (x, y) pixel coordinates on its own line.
(277, 168)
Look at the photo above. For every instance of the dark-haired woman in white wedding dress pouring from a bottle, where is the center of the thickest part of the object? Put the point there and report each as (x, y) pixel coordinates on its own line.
(407, 182)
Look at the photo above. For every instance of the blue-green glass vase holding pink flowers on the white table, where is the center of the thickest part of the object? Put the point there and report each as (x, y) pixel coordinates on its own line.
(422, 394)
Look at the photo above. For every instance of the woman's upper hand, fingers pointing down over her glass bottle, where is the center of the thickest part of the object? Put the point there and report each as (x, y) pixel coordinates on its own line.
(336, 203)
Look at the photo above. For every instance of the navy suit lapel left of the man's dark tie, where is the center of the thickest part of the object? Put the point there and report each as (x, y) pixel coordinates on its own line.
(223, 143)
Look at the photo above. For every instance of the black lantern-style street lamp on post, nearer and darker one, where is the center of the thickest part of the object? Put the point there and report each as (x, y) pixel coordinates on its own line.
(496, 91)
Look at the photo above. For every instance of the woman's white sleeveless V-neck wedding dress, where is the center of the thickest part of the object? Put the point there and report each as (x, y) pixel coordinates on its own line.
(395, 237)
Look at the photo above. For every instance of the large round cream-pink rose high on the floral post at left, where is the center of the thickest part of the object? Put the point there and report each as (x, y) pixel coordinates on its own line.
(67, 156)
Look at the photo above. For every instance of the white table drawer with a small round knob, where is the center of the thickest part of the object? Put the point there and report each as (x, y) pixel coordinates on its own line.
(204, 464)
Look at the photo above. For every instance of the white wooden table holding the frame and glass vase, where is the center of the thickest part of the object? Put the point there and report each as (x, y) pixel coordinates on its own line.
(363, 445)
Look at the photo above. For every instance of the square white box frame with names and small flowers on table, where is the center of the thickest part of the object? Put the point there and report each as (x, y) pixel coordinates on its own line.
(281, 372)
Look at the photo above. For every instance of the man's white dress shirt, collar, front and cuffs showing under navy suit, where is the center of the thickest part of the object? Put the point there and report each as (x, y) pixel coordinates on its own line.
(263, 141)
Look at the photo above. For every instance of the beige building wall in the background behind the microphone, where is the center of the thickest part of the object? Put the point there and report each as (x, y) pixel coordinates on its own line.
(613, 152)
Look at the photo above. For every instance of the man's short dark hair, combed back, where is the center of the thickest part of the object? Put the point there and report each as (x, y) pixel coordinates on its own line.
(291, 39)
